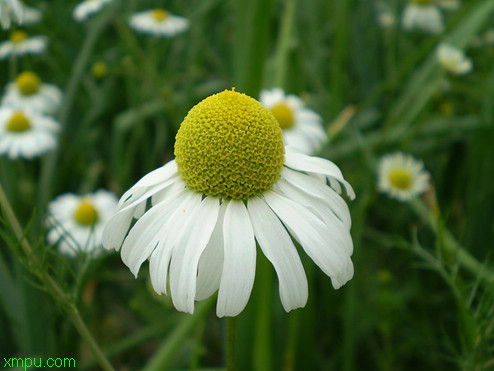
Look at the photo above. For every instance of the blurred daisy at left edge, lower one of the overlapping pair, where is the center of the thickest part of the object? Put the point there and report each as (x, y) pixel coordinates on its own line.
(26, 134)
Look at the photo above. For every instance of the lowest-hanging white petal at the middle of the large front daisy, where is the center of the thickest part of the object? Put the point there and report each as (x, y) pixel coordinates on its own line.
(239, 267)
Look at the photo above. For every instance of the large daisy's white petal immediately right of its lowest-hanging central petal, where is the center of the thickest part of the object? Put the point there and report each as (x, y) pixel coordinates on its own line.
(280, 251)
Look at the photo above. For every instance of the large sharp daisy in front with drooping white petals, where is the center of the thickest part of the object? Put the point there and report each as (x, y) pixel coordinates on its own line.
(232, 184)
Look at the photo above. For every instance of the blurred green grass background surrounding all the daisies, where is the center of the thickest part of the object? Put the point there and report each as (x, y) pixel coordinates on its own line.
(413, 303)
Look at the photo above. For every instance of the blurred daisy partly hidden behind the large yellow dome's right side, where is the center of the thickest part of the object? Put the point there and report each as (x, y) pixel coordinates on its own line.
(302, 128)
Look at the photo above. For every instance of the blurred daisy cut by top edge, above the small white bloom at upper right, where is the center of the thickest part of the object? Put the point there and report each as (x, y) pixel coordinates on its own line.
(423, 15)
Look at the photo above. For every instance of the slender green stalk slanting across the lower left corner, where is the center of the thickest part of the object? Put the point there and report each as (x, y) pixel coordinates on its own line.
(64, 300)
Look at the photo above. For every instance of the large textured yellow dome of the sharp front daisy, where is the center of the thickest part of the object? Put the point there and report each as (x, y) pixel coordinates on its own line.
(230, 146)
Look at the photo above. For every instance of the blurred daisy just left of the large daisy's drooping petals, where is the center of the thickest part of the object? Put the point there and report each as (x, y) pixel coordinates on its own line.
(76, 222)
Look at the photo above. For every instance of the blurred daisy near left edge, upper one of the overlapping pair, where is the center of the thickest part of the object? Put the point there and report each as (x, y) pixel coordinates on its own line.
(28, 92)
